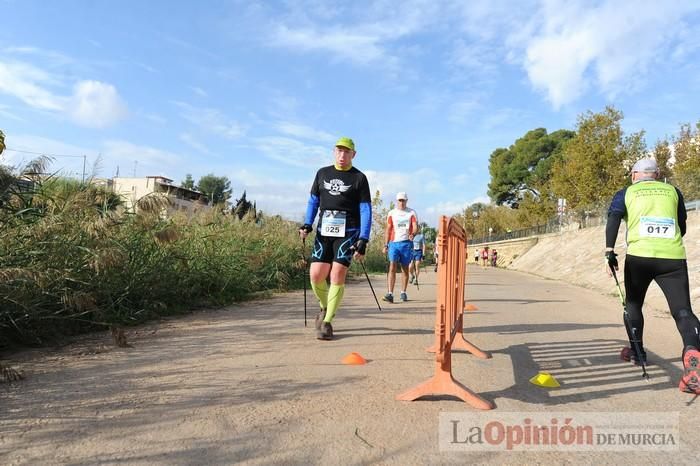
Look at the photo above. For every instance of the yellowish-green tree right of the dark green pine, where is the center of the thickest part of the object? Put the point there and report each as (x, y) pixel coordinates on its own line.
(596, 162)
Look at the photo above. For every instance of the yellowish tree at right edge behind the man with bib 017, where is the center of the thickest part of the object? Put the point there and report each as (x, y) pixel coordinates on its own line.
(686, 167)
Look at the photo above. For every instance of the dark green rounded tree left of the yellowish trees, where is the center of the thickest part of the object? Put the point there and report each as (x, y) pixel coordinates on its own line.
(525, 167)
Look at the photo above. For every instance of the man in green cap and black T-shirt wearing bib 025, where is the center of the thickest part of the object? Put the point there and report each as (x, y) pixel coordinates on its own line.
(341, 193)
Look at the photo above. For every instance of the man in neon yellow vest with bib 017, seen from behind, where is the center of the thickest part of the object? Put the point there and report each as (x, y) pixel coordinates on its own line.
(656, 223)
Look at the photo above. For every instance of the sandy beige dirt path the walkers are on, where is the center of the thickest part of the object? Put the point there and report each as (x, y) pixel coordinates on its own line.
(250, 384)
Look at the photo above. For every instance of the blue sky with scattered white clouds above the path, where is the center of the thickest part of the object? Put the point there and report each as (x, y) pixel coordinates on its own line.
(259, 91)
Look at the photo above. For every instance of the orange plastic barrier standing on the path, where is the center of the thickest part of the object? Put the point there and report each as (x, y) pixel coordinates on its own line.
(451, 243)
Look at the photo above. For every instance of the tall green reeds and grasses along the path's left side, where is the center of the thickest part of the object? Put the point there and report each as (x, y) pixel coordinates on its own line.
(72, 259)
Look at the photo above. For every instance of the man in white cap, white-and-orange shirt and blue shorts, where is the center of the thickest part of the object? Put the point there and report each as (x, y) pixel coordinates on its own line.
(402, 224)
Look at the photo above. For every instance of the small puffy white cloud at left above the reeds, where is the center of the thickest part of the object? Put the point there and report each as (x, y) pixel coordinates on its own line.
(96, 104)
